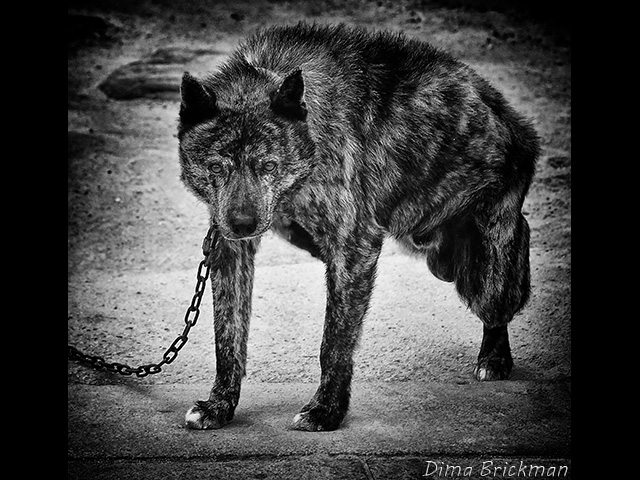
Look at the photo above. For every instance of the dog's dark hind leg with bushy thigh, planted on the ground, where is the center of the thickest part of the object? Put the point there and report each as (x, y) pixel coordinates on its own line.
(492, 276)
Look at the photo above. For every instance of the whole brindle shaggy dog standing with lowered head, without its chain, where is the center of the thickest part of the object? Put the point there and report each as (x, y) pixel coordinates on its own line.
(337, 138)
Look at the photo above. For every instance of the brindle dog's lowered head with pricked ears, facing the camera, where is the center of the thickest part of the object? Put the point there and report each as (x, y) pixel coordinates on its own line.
(244, 145)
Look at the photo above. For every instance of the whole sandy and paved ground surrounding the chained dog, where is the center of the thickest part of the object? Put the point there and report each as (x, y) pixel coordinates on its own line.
(134, 245)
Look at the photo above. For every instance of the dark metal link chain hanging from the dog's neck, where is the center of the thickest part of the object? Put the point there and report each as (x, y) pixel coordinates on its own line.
(190, 319)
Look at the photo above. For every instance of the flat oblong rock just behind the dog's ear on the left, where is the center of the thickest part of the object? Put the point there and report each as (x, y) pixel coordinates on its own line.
(158, 75)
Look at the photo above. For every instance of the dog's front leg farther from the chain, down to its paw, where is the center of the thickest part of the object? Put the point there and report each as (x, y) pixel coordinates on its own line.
(350, 275)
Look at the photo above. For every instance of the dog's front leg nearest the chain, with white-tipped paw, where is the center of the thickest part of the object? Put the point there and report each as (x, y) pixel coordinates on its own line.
(232, 270)
